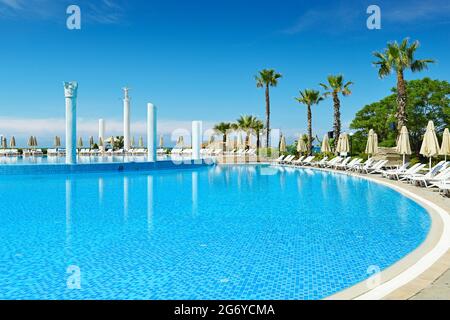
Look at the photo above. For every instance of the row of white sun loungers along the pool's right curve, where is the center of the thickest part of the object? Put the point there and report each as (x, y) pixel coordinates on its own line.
(437, 177)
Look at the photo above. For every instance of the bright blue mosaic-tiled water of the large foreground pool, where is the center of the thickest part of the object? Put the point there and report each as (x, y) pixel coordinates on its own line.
(218, 232)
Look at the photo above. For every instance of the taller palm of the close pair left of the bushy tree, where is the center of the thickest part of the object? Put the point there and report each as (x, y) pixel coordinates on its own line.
(335, 86)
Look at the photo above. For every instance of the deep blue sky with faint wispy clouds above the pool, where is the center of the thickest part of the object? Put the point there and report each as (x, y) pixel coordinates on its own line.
(196, 60)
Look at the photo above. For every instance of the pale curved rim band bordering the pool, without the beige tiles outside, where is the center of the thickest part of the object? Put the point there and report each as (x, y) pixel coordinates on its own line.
(415, 263)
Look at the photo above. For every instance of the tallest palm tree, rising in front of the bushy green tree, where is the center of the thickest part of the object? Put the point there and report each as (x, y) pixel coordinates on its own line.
(398, 58)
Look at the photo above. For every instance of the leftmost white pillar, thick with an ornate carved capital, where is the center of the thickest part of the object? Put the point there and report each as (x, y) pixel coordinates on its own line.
(70, 93)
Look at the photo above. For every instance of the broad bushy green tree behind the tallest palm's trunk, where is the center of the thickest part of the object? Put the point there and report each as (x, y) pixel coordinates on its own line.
(427, 100)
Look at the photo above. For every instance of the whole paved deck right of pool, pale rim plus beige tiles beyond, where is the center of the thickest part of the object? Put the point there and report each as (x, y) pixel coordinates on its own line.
(433, 283)
